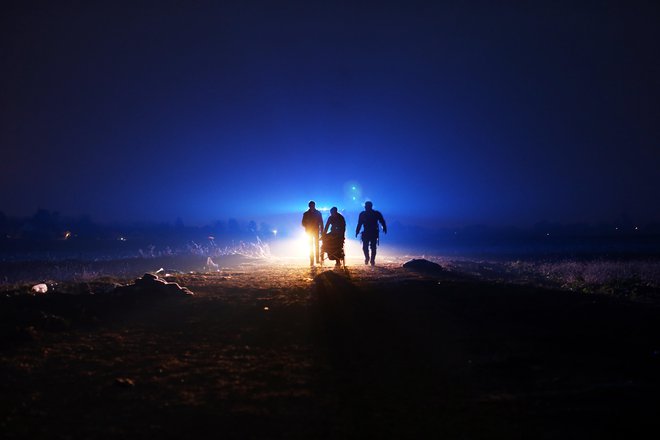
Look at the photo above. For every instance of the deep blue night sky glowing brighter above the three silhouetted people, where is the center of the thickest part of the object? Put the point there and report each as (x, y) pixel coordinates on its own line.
(440, 112)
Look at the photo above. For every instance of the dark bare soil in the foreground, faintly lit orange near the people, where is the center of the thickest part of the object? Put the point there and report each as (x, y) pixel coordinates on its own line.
(284, 352)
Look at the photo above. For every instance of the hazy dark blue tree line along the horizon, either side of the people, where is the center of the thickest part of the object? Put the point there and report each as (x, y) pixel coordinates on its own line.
(46, 225)
